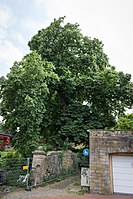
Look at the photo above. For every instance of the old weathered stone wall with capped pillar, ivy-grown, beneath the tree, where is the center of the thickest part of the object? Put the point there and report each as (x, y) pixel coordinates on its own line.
(52, 163)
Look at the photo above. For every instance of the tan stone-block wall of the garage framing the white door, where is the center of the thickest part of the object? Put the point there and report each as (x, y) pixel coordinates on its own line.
(103, 144)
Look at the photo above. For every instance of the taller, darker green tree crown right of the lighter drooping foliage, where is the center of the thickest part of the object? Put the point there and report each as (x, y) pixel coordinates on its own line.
(84, 76)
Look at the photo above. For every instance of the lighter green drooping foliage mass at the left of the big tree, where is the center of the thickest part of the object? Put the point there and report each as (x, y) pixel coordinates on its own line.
(23, 100)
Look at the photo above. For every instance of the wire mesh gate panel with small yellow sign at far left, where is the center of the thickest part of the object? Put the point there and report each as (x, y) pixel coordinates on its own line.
(15, 171)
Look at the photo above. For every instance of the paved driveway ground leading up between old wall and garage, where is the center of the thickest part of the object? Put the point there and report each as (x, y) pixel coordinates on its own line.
(66, 189)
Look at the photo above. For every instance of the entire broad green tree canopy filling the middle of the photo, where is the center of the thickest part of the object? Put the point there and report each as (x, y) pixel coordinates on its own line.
(63, 88)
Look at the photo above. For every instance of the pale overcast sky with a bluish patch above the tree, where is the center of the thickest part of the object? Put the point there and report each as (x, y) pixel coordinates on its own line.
(108, 20)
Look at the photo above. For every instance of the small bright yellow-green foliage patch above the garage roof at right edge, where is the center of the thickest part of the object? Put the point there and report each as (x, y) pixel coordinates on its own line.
(125, 122)
